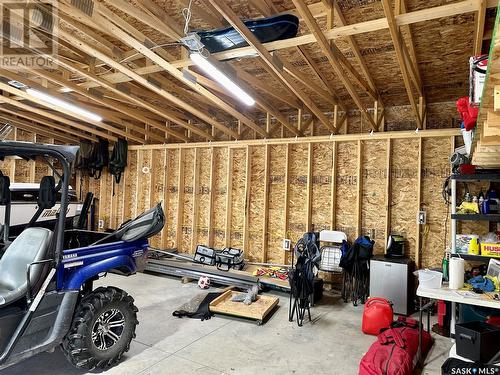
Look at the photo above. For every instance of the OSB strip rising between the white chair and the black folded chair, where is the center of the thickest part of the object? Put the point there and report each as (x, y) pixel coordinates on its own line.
(345, 210)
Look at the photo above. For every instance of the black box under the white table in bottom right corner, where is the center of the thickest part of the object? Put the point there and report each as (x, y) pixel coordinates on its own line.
(477, 341)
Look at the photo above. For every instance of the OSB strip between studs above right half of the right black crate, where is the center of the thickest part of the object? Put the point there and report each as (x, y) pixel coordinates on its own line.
(238, 200)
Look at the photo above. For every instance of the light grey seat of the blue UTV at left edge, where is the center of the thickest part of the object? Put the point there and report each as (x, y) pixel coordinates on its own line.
(30, 246)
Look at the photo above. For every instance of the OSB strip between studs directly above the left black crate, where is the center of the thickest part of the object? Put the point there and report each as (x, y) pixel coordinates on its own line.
(204, 196)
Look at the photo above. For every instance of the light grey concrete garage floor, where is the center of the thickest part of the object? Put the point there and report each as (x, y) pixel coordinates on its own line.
(331, 344)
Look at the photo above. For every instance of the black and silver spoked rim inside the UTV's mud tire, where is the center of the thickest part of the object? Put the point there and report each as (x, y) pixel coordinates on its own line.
(108, 329)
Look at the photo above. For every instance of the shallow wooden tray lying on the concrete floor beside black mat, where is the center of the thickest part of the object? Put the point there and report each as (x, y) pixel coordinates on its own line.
(258, 310)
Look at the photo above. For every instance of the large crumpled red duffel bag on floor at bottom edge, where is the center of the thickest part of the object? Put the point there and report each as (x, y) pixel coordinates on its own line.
(396, 350)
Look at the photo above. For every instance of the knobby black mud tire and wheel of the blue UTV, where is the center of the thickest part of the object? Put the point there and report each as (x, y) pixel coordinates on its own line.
(80, 345)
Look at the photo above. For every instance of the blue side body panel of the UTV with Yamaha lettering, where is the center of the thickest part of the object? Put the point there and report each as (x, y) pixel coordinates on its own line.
(80, 264)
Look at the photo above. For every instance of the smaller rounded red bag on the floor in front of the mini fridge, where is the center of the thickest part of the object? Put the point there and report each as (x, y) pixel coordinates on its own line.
(377, 315)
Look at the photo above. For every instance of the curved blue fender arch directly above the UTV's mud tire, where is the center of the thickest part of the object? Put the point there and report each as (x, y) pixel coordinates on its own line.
(78, 278)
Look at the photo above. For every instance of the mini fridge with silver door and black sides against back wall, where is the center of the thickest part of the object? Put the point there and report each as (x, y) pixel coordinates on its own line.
(393, 279)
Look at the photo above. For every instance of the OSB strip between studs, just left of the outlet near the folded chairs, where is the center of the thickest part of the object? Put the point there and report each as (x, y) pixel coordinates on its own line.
(276, 204)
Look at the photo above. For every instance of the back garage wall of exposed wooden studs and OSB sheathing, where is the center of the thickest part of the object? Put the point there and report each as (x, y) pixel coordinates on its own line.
(253, 194)
